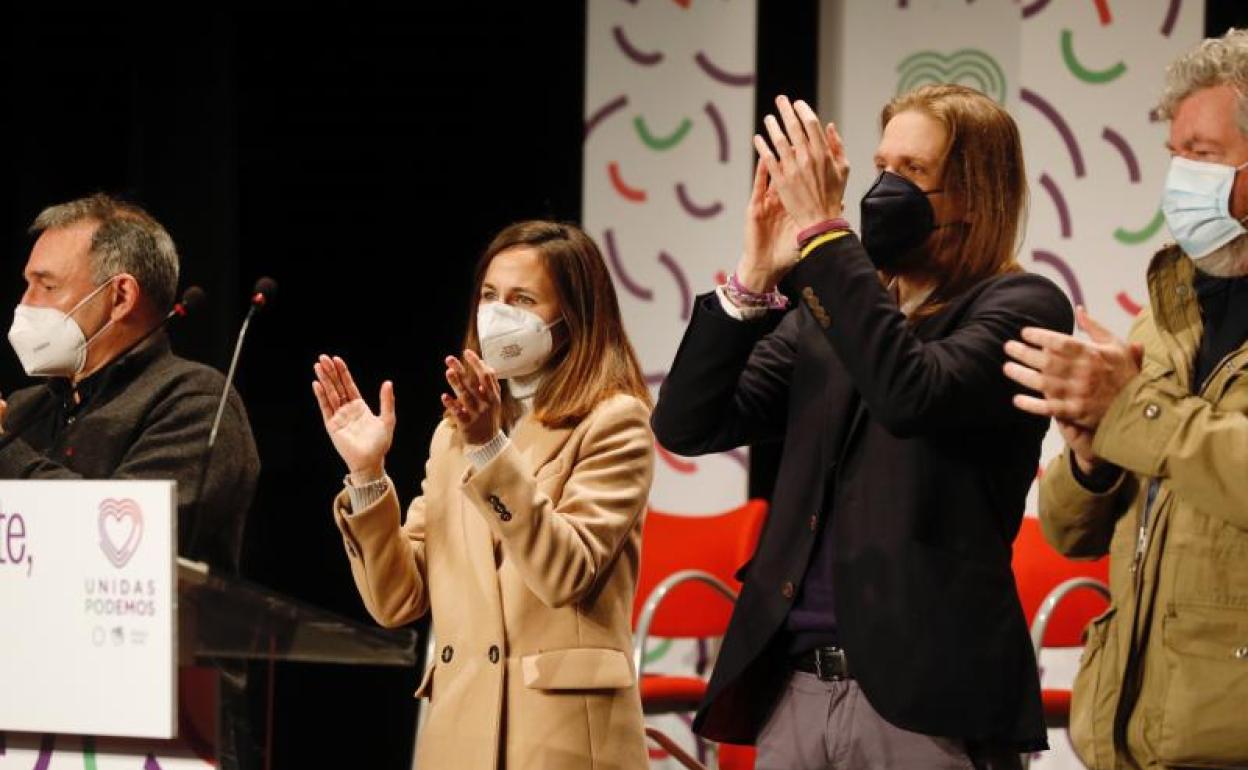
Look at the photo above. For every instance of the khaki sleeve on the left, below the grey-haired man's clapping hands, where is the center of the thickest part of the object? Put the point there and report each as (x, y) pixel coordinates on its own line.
(1076, 521)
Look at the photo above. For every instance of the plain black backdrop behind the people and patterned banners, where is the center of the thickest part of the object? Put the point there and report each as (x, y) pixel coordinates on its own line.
(363, 159)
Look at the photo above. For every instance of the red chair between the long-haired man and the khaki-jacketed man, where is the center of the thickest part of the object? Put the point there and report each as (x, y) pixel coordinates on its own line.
(1050, 590)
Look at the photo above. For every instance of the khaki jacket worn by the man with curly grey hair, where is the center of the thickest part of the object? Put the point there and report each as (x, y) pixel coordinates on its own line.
(1164, 681)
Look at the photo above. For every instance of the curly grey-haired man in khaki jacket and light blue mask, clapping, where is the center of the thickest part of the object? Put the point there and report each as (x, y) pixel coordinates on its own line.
(1156, 472)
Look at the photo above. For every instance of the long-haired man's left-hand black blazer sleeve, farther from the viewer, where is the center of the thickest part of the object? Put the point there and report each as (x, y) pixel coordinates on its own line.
(729, 384)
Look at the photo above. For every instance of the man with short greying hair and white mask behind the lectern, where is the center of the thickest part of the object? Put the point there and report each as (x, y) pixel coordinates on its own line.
(118, 404)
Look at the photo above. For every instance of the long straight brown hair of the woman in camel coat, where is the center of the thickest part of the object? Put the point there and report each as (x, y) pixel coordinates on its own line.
(597, 361)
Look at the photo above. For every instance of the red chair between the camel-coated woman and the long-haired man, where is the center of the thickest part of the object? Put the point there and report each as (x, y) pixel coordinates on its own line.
(686, 591)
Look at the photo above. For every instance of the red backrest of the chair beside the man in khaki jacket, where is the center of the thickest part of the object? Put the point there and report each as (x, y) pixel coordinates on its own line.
(1039, 568)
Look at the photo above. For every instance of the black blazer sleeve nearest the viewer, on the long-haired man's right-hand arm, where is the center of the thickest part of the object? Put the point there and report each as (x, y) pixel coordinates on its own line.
(913, 386)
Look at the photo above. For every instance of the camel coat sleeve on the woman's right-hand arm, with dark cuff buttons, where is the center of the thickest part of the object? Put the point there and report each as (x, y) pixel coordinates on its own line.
(562, 547)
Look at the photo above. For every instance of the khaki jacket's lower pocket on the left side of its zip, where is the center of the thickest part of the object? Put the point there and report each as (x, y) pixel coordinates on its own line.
(1096, 694)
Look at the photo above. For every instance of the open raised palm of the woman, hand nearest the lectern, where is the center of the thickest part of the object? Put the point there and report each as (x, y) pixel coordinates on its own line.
(361, 437)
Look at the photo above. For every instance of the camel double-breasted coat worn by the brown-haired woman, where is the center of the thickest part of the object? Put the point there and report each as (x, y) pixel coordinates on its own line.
(530, 567)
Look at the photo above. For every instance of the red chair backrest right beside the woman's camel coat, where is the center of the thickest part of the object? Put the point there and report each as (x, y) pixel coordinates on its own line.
(718, 545)
